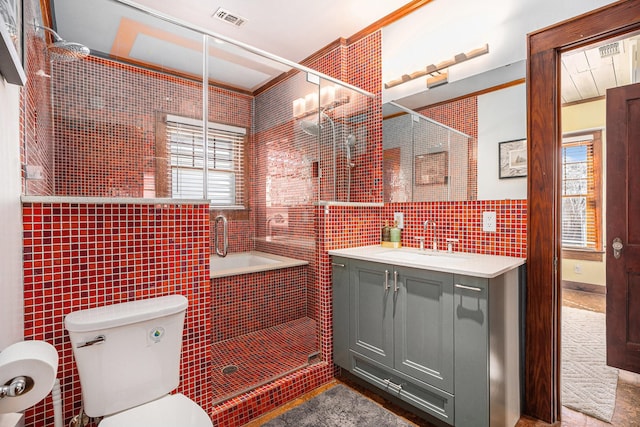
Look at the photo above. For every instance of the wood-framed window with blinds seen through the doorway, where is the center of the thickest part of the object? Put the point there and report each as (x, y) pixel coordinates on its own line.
(581, 188)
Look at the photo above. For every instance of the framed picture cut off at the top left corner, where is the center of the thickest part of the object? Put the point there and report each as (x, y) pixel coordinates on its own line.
(11, 42)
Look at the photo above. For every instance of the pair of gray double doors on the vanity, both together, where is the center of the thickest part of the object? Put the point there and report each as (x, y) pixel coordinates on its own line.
(403, 317)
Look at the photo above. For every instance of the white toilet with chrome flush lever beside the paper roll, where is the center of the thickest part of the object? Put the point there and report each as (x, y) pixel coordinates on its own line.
(128, 359)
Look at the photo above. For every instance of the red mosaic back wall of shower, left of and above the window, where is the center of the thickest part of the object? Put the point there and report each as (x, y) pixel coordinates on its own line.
(105, 128)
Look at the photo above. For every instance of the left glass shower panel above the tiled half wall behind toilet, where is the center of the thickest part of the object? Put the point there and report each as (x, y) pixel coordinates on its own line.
(127, 121)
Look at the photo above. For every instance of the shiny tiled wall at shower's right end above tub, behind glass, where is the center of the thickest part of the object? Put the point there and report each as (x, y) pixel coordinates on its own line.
(287, 169)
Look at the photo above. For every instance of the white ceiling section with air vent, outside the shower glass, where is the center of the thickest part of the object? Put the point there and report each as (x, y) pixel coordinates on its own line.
(292, 29)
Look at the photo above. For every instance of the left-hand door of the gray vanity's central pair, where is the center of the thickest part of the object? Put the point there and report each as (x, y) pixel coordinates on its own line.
(371, 306)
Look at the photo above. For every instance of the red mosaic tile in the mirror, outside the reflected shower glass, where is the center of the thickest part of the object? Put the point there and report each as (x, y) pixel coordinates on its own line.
(461, 115)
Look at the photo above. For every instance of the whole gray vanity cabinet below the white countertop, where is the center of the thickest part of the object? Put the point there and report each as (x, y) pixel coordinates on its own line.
(446, 343)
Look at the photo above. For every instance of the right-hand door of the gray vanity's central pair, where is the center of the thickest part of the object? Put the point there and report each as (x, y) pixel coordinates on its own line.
(424, 326)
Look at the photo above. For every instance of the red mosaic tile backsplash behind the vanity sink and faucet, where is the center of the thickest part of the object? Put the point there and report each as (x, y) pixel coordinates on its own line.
(359, 226)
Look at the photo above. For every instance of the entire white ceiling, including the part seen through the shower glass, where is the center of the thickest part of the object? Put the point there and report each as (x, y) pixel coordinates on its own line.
(290, 29)
